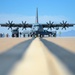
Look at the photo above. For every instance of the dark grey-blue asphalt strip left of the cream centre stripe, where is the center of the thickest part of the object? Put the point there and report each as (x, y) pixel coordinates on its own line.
(9, 58)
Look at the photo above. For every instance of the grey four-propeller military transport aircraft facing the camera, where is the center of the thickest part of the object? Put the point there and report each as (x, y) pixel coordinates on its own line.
(37, 29)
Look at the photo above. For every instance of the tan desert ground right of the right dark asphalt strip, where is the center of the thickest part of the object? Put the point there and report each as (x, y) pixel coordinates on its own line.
(68, 42)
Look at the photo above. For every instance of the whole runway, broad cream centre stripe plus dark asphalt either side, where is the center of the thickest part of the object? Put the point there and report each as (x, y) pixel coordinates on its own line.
(37, 57)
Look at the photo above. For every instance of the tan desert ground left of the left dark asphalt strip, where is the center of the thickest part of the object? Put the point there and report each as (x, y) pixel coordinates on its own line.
(7, 43)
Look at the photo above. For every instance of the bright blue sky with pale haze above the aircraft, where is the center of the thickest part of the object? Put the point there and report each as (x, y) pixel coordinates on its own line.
(54, 10)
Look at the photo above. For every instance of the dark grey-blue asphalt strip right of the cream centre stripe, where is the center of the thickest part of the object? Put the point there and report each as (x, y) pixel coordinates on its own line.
(64, 55)
